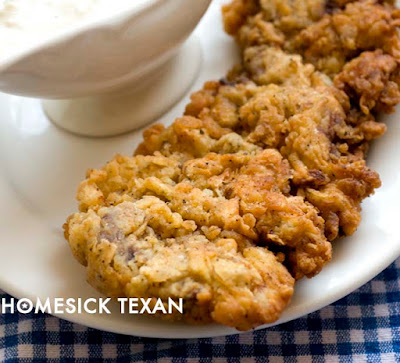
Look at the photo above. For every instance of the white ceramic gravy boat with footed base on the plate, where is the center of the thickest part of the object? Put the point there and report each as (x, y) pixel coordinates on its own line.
(114, 74)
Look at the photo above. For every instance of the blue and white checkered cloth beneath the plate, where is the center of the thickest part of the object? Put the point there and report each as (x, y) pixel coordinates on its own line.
(362, 327)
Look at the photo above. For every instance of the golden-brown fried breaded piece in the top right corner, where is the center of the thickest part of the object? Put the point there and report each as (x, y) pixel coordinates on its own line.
(337, 38)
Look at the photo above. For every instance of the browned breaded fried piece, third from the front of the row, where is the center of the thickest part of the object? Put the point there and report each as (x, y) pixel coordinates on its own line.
(311, 129)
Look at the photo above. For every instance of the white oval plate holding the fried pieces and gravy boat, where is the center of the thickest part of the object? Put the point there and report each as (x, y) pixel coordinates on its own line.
(41, 166)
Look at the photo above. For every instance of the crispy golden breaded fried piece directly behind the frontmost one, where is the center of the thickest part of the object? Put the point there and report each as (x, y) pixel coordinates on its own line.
(252, 200)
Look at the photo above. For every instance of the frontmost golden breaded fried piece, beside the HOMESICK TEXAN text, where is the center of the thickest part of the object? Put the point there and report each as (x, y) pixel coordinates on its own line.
(126, 256)
